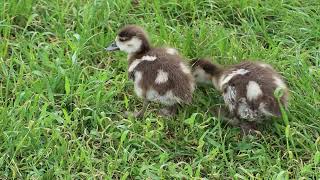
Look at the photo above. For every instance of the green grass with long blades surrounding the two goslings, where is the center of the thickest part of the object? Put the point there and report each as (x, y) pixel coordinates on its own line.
(63, 97)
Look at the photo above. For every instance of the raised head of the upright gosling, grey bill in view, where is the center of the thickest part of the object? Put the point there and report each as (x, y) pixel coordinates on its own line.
(130, 39)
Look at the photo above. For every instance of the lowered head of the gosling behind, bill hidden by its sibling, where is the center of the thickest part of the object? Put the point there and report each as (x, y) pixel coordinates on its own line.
(206, 72)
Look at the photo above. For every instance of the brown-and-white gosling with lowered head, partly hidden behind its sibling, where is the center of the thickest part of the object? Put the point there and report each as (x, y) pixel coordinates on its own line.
(247, 89)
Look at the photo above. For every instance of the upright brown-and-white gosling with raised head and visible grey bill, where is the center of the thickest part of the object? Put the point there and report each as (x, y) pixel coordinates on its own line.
(159, 74)
